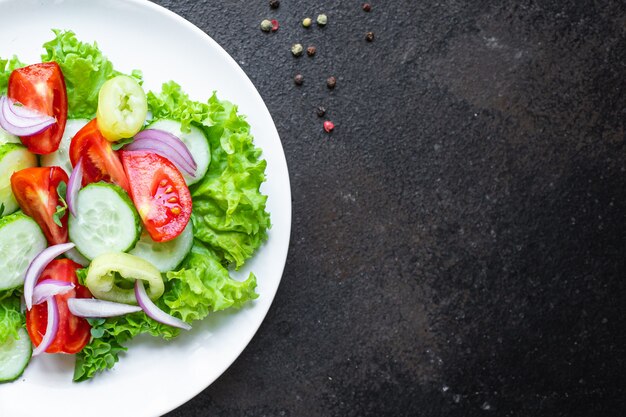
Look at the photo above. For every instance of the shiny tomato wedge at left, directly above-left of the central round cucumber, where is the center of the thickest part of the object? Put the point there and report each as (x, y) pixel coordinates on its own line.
(35, 190)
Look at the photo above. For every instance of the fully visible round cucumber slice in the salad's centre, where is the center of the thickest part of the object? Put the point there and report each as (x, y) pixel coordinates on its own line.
(106, 221)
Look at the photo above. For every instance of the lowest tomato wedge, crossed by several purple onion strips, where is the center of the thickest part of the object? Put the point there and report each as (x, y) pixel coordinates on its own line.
(73, 332)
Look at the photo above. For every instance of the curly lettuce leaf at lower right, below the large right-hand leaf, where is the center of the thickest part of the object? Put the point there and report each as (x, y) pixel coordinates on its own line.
(204, 285)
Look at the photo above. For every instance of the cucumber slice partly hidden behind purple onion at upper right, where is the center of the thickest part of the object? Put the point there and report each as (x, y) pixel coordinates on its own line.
(196, 142)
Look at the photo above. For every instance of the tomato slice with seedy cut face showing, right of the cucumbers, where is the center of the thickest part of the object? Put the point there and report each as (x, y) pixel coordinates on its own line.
(159, 192)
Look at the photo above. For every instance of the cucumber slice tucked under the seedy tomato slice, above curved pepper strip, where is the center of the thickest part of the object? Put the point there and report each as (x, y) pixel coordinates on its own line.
(166, 256)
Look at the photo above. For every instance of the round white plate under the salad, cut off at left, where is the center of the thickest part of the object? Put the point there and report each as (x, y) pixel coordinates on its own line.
(154, 377)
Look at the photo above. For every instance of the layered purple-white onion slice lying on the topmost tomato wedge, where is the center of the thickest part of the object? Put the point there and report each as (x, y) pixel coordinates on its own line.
(21, 121)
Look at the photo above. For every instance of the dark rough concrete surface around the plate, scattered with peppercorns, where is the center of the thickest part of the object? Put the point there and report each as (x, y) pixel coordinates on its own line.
(459, 240)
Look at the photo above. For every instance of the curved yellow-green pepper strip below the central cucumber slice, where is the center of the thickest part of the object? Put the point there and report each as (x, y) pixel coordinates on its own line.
(101, 277)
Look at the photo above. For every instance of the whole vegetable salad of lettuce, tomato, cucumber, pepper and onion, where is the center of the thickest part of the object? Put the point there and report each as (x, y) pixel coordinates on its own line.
(122, 211)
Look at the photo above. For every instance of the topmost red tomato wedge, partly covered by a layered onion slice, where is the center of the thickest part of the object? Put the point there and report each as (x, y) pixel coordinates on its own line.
(41, 87)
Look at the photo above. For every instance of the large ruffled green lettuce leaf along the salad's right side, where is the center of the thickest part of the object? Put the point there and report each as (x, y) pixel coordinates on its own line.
(228, 208)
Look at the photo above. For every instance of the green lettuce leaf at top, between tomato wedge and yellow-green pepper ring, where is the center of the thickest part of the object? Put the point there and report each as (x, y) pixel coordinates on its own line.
(85, 69)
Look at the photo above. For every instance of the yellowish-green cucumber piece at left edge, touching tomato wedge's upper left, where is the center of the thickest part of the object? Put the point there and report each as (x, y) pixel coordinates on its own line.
(13, 157)
